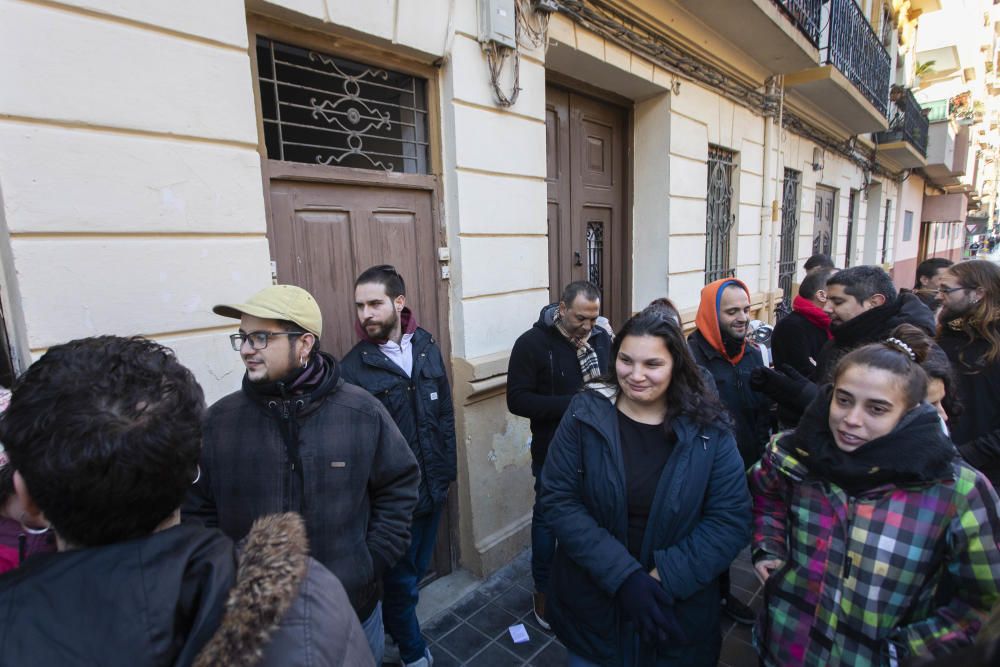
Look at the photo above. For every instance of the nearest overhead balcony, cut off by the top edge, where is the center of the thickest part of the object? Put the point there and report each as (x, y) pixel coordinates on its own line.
(781, 35)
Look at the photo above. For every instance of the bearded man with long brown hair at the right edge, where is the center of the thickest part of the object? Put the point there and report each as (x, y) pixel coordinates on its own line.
(969, 333)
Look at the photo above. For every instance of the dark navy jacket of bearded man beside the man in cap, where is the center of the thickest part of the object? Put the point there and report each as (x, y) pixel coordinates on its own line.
(420, 404)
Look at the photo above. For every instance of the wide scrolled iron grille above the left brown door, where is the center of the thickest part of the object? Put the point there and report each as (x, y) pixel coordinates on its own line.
(322, 109)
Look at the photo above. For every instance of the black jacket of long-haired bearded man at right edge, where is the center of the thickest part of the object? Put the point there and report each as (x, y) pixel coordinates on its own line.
(977, 430)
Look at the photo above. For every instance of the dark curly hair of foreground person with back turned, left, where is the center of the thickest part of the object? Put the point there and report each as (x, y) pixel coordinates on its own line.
(106, 433)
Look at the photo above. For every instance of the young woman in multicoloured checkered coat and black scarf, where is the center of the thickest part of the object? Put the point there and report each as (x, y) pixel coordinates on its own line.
(874, 540)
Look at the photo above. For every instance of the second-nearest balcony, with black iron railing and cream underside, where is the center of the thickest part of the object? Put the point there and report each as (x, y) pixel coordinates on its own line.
(851, 85)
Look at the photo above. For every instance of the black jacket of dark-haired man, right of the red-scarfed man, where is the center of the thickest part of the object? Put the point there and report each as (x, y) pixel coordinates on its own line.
(872, 326)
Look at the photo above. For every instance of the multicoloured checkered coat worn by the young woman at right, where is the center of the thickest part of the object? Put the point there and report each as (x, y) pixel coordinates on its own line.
(866, 580)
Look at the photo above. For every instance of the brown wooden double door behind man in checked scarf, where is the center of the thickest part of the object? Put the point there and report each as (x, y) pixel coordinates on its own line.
(585, 146)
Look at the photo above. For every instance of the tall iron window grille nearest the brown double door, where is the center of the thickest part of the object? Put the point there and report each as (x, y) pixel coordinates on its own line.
(720, 218)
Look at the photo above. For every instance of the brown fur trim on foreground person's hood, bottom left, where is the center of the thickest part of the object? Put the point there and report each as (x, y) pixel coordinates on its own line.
(272, 565)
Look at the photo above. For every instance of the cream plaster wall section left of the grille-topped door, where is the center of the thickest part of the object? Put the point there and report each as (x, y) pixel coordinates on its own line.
(155, 107)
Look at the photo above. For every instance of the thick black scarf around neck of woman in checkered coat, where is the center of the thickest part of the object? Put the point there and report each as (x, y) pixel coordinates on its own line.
(915, 452)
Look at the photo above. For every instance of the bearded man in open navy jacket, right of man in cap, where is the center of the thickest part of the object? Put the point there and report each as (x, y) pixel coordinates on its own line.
(401, 365)
